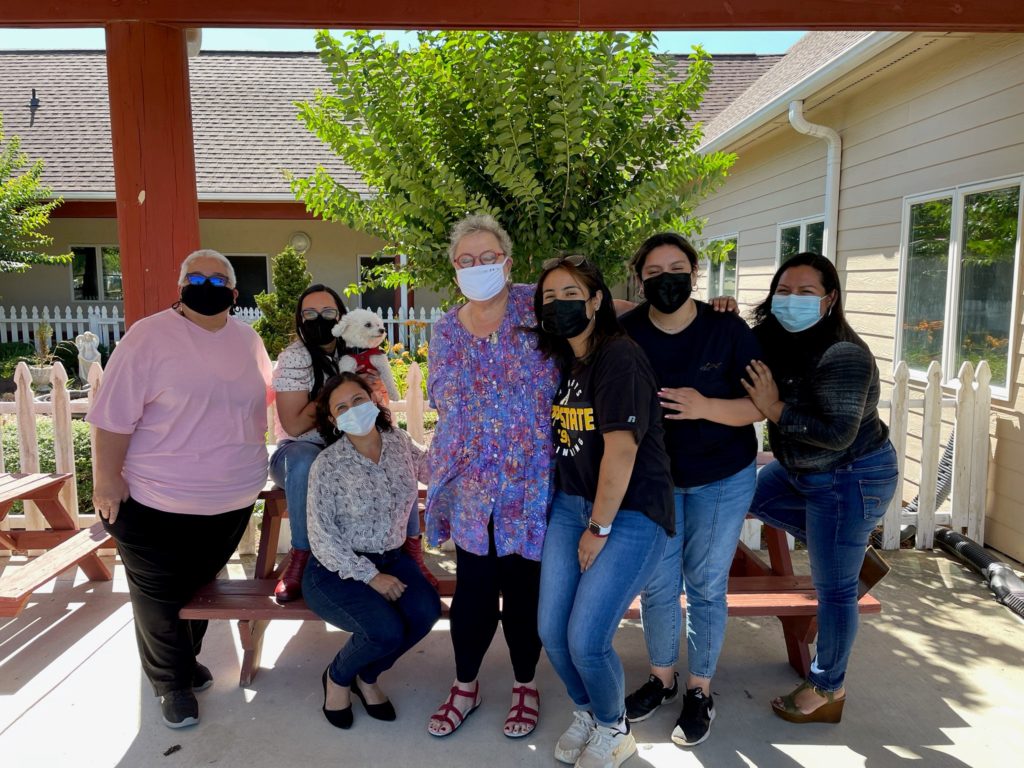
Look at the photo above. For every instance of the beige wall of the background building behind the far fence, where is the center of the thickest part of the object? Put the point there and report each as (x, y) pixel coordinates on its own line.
(333, 255)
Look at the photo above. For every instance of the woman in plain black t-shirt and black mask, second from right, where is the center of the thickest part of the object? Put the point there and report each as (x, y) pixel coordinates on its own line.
(700, 358)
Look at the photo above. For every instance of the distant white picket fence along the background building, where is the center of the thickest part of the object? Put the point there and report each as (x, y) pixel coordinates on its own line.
(408, 327)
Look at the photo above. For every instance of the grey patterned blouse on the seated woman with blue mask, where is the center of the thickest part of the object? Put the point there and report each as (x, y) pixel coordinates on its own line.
(356, 506)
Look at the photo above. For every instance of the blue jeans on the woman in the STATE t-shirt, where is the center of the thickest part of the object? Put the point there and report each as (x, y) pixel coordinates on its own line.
(580, 613)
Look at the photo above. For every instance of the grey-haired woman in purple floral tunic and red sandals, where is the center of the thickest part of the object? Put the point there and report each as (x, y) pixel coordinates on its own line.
(491, 468)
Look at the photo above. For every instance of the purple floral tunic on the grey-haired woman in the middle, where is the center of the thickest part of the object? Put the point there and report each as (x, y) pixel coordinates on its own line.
(492, 455)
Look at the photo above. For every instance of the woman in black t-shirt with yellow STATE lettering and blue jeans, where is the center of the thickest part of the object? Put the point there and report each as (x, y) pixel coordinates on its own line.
(613, 510)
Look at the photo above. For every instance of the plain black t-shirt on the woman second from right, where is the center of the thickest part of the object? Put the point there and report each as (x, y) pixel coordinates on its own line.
(709, 356)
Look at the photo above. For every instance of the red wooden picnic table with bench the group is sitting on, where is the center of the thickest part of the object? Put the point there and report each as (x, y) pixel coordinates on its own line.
(756, 589)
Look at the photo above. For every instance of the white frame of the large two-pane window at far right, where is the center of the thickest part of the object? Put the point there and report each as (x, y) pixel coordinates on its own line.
(950, 328)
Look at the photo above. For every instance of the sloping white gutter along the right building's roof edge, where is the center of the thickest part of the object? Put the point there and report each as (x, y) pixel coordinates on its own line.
(846, 62)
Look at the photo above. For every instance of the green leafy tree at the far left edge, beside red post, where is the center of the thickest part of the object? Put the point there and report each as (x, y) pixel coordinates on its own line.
(25, 210)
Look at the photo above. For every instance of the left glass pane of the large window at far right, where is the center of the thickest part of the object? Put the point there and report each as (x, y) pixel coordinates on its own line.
(925, 291)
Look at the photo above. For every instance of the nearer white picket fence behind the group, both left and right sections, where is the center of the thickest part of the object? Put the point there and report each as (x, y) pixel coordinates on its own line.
(971, 410)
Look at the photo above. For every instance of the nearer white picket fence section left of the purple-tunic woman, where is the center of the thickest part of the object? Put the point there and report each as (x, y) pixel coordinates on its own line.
(61, 409)
